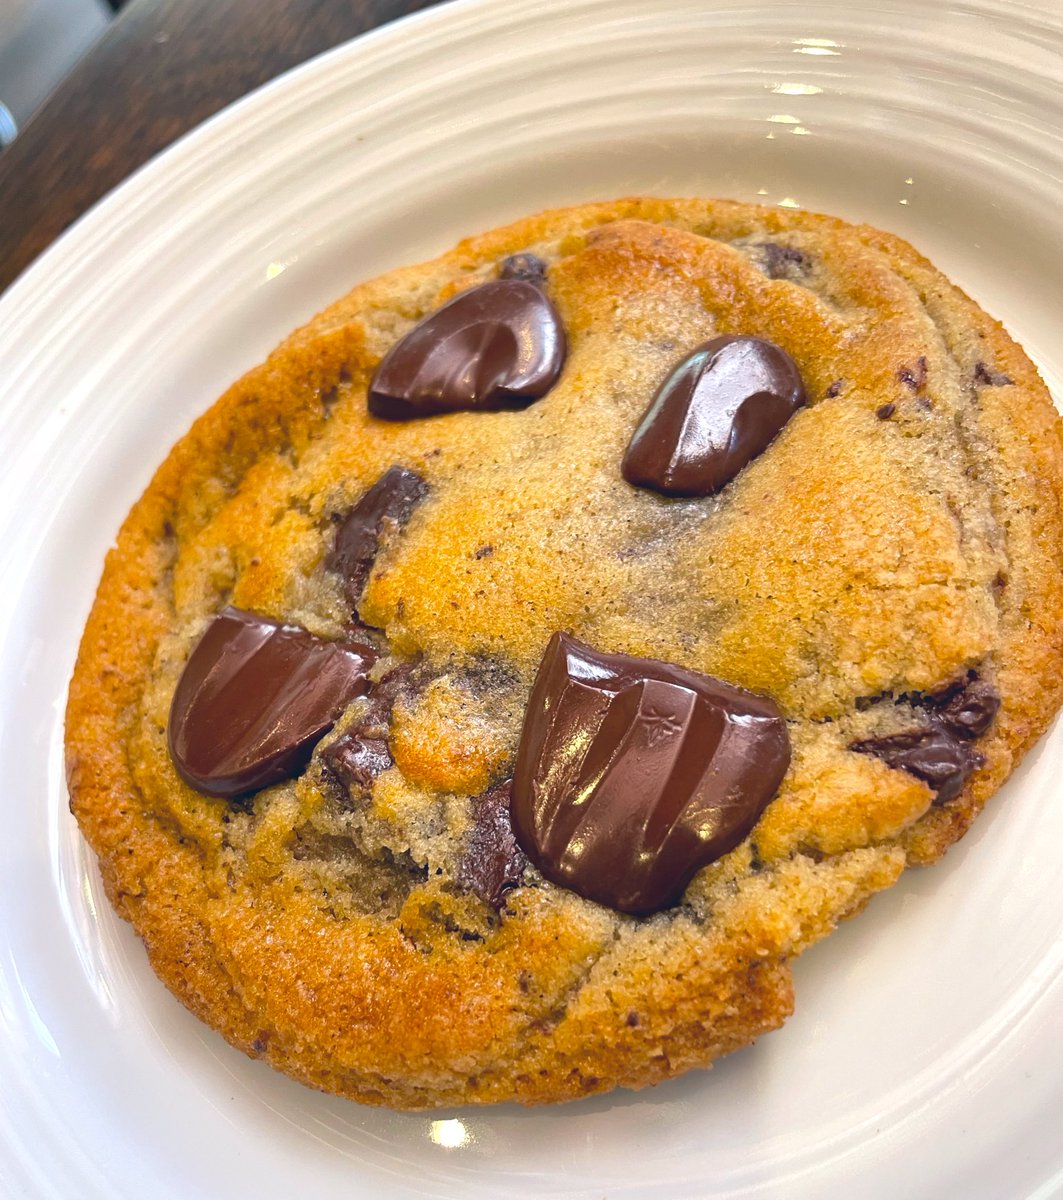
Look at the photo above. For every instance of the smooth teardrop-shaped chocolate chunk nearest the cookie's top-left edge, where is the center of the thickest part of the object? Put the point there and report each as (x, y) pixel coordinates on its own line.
(497, 346)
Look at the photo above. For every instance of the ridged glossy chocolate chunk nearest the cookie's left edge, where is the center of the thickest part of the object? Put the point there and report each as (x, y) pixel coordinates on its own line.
(254, 700)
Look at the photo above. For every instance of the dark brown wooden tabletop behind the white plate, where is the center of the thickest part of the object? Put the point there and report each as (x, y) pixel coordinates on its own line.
(161, 68)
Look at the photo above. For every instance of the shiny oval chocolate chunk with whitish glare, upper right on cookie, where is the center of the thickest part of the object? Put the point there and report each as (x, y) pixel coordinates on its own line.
(716, 412)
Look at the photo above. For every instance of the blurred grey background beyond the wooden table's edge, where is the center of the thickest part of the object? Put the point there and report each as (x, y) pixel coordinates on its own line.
(40, 41)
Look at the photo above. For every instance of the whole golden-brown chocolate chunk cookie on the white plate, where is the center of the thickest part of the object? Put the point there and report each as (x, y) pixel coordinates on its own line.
(500, 687)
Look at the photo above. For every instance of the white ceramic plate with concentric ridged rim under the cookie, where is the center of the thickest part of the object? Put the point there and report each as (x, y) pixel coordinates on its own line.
(924, 1059)
